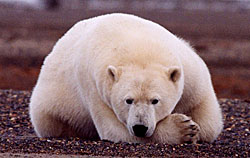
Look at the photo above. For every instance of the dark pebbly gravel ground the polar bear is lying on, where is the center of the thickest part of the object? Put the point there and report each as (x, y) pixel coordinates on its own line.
(17, 135)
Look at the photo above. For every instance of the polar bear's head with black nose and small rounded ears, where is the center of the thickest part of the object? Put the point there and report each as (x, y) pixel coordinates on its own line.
(141, 97)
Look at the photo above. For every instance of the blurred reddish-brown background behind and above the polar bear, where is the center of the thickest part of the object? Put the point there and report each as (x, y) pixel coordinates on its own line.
(218, 30)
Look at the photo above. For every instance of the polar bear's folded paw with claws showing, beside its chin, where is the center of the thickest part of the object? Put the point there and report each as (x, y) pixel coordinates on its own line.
(175, 129)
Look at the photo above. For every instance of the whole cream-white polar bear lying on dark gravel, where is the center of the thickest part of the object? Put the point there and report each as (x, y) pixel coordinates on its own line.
(123, 78)
